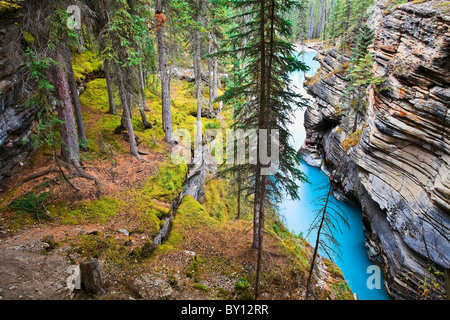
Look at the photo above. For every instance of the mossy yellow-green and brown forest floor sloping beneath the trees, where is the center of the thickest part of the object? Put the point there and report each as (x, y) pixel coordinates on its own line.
(208, 254)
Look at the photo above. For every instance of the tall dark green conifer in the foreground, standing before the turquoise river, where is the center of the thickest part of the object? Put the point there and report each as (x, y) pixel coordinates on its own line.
(267, 102)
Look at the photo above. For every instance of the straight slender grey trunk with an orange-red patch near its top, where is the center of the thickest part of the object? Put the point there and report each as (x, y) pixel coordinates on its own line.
(165, 89)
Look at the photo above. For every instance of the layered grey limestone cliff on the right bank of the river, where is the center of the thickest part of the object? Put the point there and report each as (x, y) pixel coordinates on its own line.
(399, 169)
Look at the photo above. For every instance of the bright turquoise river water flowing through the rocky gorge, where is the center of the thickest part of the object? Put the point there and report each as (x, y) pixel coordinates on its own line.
(299, 214)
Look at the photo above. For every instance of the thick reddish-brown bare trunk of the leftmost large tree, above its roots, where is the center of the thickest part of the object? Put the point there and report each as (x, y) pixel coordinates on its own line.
(70, 151)
